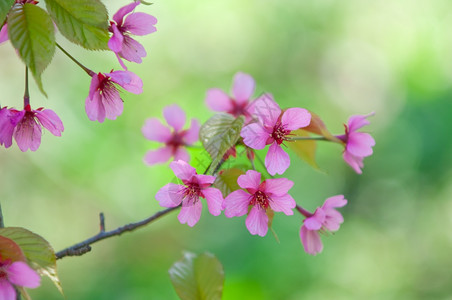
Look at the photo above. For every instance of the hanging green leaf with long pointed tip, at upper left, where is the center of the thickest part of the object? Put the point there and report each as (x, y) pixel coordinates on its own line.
(31, 32)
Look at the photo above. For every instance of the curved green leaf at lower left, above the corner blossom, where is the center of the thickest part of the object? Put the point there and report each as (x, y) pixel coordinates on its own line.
(40, 255)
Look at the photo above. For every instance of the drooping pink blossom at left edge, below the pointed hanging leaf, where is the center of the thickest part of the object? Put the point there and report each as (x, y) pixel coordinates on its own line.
(25, 126)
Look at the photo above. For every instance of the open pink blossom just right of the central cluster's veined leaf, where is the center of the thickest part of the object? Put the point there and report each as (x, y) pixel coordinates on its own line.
(273, 128)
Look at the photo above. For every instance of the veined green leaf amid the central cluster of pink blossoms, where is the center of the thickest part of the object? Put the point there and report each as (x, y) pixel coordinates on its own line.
(220, 133)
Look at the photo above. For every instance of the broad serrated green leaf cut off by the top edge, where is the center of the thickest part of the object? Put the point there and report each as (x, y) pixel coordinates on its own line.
(83, 22)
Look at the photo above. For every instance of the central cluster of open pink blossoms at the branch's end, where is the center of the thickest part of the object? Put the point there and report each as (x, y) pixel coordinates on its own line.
(265, 124)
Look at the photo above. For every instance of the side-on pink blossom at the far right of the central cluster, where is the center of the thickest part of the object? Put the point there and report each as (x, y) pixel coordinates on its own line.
(357, 144)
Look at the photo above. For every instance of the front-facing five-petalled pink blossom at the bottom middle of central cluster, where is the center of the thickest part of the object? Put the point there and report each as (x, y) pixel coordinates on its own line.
(268, 194)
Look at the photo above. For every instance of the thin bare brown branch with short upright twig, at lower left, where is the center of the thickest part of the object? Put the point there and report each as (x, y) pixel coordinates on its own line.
(85, 246)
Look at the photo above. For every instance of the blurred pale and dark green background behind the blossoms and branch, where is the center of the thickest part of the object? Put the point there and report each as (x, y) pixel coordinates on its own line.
(336, 58)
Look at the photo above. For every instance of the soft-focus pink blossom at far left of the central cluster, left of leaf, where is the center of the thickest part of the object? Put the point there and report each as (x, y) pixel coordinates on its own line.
(175, 139)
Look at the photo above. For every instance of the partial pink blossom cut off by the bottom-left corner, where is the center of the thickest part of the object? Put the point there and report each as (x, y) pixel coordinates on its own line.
(16, 273)
